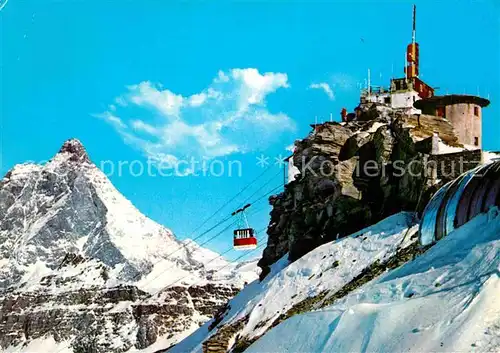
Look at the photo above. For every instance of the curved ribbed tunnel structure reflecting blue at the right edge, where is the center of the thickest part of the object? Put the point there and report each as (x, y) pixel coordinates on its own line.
(462, 199)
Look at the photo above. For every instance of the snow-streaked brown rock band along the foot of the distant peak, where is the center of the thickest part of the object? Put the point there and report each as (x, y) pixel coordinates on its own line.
(102, 316)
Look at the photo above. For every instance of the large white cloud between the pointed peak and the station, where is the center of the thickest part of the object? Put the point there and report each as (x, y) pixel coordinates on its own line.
(229, 116)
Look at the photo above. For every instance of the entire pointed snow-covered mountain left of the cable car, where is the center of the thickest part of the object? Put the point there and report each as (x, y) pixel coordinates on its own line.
(82, 268)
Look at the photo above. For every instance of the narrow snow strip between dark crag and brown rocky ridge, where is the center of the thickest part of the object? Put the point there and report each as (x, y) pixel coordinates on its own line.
(326, 268)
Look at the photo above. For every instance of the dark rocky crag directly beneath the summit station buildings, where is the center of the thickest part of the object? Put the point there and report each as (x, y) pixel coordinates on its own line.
(353, 174)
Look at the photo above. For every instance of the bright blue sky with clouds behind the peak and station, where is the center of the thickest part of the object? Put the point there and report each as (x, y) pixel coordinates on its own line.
(225, 81)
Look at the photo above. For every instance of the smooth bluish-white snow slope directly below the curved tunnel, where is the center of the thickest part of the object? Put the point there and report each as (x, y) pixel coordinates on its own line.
(446, 300)
